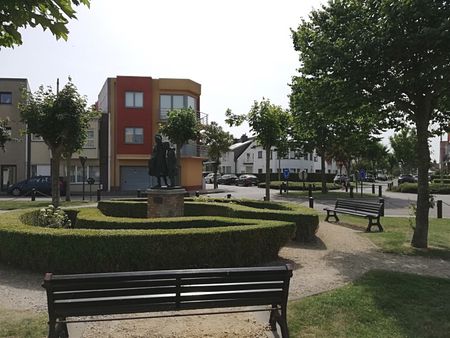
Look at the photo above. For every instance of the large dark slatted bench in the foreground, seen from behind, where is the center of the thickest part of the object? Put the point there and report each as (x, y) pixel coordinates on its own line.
(119, 293)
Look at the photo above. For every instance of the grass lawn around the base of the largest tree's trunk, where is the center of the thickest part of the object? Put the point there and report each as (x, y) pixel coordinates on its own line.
(398, 232)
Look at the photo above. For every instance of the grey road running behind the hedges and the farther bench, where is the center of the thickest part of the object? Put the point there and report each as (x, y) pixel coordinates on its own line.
(396, 204)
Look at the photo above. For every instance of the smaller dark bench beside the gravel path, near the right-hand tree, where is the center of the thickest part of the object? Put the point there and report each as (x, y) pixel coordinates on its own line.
(367, 209)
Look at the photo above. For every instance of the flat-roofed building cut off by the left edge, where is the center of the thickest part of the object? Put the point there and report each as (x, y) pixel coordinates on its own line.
(15, 160)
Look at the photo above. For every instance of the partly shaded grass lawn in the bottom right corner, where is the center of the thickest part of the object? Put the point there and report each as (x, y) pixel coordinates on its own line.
(380, 304)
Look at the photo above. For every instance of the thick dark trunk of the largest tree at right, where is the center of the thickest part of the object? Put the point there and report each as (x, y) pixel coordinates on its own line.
(420, 237)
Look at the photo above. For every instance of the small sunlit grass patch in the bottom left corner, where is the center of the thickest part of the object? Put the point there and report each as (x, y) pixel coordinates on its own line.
(23, 324)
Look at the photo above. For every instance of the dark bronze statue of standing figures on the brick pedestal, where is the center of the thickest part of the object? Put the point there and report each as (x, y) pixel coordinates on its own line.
(163, 163)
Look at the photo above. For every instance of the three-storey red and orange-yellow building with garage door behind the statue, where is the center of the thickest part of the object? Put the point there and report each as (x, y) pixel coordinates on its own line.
(132, 108)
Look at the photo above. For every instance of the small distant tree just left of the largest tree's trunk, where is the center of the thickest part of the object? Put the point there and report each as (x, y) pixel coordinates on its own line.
(403, 144)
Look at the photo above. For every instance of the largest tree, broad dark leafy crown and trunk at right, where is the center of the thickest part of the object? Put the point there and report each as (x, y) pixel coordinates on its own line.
(395, 61)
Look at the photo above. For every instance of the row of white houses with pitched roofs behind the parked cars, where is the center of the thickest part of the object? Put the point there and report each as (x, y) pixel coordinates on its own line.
(247, 156)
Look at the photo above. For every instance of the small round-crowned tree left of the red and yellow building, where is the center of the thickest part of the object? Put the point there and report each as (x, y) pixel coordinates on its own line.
(62, 120)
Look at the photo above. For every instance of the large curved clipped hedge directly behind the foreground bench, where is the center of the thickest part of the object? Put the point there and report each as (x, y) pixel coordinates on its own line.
(226, 242)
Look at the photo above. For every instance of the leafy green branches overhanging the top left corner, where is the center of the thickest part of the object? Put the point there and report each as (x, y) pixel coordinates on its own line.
(49, 14)
